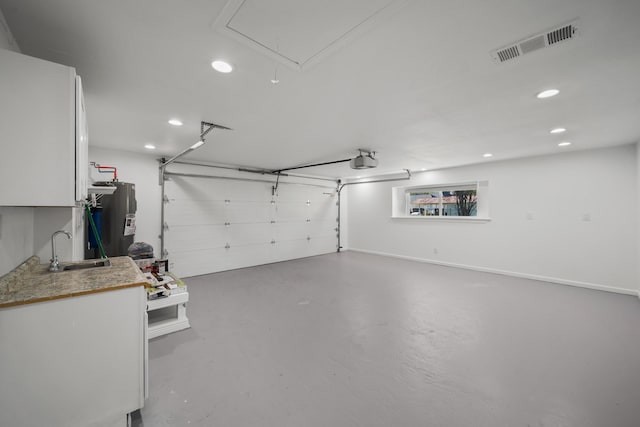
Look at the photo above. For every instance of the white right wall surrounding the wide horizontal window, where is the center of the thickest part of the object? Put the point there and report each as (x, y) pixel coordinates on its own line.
(559, 193)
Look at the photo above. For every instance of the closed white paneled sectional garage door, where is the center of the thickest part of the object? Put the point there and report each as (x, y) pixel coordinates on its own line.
(221, 224)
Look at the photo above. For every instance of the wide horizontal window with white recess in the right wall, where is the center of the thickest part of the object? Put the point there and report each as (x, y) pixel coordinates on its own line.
(455, 201)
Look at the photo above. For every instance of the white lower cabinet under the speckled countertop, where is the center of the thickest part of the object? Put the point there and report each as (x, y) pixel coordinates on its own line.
(76, 361)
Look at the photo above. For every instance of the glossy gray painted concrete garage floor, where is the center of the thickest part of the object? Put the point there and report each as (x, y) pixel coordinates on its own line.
(359, 340)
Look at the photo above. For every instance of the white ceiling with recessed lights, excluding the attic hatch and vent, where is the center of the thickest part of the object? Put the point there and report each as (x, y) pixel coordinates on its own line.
(418, 84)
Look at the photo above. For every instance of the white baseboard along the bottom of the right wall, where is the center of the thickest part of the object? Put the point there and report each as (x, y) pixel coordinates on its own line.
(547, 279)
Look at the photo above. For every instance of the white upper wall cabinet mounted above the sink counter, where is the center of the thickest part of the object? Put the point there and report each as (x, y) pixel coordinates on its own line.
(43, 133)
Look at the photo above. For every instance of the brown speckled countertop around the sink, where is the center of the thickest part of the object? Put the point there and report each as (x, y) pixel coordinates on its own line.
(32, 282)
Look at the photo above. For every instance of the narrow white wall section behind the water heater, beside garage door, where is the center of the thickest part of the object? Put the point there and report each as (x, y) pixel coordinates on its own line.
(141, 170)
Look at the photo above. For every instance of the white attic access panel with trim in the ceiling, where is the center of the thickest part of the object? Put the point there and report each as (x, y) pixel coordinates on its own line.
(299, 33)
